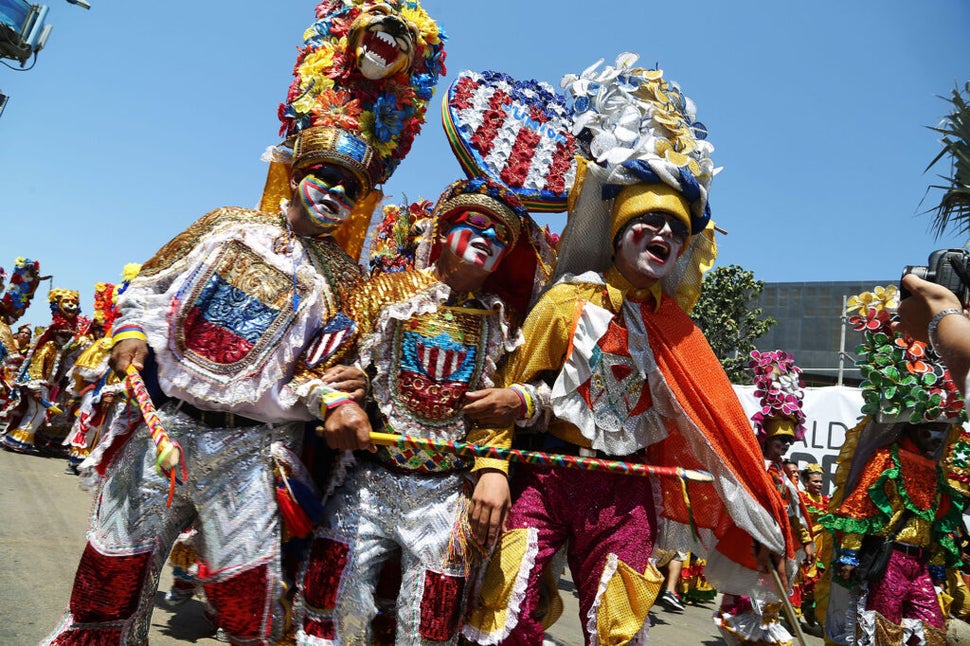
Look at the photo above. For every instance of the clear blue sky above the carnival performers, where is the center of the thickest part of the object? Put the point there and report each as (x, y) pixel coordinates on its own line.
(139, 117)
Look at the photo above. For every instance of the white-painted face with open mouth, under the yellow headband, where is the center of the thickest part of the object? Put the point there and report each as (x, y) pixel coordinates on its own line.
(645, 254)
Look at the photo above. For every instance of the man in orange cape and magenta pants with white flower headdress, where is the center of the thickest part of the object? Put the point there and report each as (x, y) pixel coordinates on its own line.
(633, 379)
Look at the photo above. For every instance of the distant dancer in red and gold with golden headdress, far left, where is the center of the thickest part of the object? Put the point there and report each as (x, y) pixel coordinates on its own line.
(38, 378)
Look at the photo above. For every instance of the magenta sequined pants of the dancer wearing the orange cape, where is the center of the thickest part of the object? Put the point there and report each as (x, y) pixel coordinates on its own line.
(598, 513)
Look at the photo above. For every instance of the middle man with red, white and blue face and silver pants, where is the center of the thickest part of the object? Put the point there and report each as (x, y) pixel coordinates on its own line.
(426, 336)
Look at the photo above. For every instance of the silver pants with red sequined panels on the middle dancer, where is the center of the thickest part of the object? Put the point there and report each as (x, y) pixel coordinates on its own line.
(375, 514)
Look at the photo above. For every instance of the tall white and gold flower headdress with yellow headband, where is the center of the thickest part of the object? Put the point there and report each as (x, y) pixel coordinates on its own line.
(641, 148)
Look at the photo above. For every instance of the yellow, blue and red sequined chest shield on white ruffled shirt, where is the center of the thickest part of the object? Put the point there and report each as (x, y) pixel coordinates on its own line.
(230, 313)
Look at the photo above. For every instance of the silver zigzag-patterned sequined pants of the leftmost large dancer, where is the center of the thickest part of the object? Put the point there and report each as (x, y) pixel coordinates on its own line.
(229, 490)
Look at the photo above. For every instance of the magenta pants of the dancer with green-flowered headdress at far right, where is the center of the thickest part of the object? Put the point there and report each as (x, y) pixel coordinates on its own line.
(905, 590)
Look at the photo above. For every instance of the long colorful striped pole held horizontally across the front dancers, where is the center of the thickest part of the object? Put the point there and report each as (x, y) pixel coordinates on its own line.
(539, 458)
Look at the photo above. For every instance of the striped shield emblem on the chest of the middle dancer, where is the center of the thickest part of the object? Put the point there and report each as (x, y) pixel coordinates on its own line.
(439, 356)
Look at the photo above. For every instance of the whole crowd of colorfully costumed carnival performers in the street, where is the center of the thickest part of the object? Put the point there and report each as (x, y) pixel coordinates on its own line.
(410, 447)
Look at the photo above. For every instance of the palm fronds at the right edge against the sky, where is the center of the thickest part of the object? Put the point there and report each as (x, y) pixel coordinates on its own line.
(954, 206)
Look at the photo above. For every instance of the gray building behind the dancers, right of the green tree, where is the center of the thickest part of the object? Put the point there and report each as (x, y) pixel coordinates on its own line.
(811, 326)
